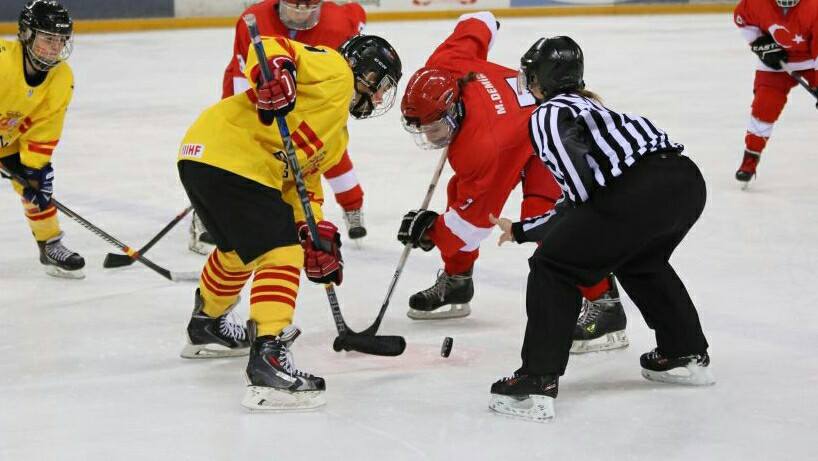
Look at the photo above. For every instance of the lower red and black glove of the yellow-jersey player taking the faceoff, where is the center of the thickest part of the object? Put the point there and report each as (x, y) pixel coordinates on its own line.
(322, 265)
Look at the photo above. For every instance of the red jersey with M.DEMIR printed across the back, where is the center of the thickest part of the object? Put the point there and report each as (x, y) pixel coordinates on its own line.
(491, 148)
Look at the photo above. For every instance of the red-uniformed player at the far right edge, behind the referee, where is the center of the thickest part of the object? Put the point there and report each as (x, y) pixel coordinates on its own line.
(777, 30)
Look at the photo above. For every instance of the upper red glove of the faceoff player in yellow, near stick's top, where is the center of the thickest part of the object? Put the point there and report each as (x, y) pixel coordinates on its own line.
(276, 97)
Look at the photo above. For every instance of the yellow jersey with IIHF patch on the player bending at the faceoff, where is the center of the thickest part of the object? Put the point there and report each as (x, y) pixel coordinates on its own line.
(228, 135)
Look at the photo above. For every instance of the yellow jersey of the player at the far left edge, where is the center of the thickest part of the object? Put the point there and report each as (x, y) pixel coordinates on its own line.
(31, 118)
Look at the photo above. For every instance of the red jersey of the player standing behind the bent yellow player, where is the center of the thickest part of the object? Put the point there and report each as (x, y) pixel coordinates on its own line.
(337, 24)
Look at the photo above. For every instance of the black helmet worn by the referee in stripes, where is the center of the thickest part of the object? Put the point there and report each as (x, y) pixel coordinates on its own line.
(552, 65)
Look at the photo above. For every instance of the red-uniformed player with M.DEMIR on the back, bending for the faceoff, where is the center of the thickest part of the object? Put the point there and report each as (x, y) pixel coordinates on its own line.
(449, 103)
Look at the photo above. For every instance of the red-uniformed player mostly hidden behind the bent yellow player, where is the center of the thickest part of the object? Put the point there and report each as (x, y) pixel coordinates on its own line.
(313, 22)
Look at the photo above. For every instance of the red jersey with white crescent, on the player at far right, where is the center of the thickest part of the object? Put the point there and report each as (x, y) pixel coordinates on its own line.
(796, 31)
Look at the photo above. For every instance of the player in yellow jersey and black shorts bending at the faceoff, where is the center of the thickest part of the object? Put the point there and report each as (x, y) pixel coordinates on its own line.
(233, 168)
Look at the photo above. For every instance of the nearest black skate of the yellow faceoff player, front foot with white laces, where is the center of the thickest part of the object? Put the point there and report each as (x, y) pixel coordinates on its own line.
(273, 382)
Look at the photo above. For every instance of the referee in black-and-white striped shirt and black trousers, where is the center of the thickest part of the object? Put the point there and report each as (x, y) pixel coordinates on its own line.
(629, 198)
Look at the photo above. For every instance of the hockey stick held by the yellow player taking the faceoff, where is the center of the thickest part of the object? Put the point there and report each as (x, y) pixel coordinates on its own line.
(347, 339)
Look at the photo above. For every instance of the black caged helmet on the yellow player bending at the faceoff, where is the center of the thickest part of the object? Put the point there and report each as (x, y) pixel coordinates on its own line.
(377, 70)
